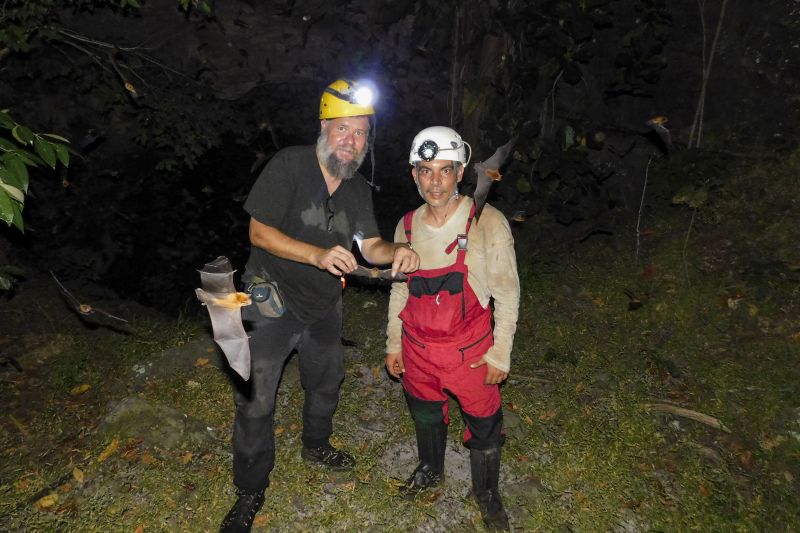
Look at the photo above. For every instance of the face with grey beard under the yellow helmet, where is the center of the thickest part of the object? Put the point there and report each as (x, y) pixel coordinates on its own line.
(341, 145)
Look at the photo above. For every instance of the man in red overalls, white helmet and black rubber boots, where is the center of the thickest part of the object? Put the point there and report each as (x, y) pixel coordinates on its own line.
(440, 334)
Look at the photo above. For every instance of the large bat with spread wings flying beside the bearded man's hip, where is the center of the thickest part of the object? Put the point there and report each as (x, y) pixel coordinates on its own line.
(224, 308)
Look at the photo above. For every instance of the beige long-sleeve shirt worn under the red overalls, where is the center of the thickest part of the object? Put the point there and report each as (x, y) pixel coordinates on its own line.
(492, 272)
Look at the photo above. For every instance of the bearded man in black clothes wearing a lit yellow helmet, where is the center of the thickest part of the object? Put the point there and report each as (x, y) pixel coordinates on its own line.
(307, 207)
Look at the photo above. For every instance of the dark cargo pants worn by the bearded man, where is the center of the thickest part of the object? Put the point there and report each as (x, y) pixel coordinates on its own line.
(321, 365)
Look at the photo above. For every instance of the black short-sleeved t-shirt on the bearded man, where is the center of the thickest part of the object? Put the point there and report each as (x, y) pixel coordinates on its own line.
(291, 196)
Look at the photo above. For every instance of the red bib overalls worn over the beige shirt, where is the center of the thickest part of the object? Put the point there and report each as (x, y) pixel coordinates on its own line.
(445, 330)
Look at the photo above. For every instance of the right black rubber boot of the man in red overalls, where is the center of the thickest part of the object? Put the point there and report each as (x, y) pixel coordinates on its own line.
(485, 466)
